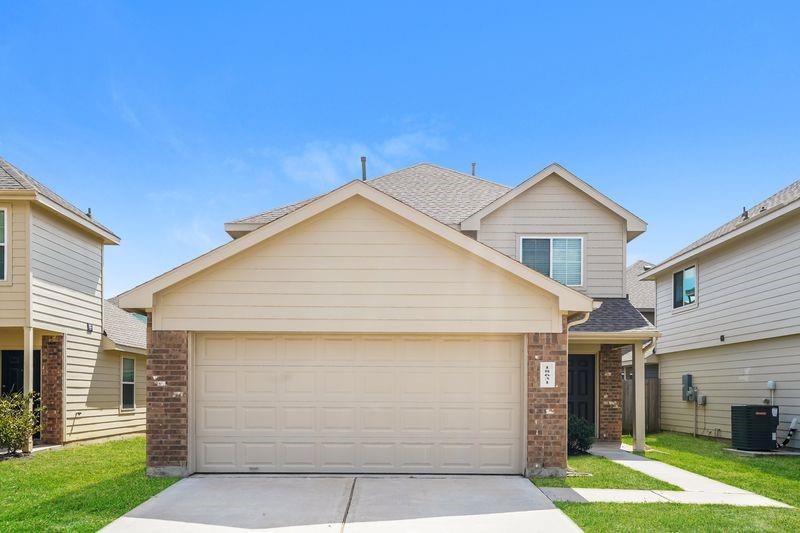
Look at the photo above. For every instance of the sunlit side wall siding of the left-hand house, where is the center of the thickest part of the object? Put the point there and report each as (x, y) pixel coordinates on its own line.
(66, 296)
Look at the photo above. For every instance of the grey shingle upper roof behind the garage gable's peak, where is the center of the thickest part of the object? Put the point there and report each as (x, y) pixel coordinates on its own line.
(444, 194)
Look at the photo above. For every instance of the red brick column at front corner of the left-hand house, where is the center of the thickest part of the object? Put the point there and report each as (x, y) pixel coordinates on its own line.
(52, 386)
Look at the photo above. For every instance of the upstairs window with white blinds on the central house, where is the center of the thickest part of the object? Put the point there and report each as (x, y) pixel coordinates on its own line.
(560, 258)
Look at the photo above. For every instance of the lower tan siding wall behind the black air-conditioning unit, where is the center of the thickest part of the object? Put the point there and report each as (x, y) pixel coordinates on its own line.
(734, 374)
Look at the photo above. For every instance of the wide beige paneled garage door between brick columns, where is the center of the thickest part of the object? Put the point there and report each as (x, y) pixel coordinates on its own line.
(358, 403)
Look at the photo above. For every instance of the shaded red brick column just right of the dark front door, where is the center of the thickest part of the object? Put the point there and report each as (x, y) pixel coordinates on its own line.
(610, 409)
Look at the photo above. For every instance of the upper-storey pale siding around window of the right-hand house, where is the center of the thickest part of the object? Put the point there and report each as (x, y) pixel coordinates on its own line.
(747, 290)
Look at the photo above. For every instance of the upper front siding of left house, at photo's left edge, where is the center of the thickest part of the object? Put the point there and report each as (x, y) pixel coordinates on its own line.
(14, 291)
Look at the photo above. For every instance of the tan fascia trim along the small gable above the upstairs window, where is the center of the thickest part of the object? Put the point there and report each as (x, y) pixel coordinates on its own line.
(635, 224)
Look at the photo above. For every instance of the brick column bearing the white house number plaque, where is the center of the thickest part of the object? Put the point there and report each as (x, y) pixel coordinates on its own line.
(547, 407)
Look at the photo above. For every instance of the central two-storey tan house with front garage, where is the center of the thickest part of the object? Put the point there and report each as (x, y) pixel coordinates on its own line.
(422, 321)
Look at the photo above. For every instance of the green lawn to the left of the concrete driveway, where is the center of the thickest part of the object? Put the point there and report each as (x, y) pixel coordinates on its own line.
(80, 488)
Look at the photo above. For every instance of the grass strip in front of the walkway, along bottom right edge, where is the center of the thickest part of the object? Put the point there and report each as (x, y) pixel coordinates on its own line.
(675, 517)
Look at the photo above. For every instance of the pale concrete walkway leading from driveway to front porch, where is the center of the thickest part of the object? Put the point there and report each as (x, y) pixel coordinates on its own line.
(697, 489)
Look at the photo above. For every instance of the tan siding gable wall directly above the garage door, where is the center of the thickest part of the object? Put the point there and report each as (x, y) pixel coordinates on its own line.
(356, 268)
